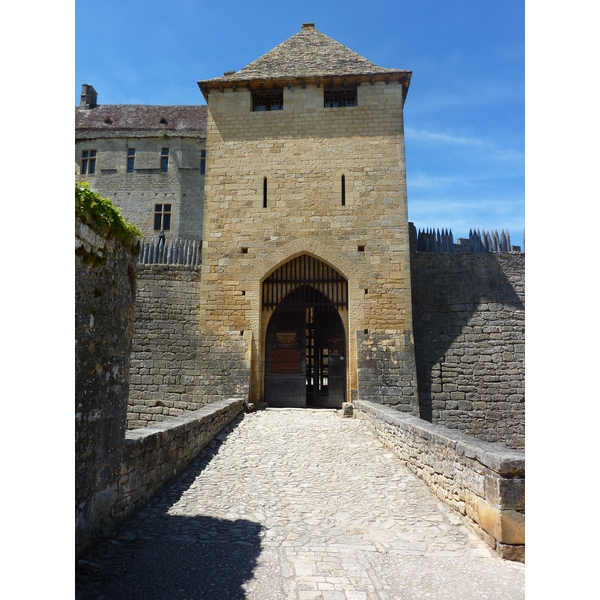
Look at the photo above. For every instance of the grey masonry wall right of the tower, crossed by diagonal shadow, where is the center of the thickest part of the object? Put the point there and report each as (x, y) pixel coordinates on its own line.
(469, 328)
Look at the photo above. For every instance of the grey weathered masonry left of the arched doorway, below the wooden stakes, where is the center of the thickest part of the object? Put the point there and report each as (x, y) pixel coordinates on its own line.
(175, 368)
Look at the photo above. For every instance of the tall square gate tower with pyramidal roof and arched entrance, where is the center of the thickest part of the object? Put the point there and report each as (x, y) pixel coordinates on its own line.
(305, 259)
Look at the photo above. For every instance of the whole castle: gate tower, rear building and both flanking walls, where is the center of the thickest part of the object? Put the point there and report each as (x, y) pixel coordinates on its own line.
(310, 291)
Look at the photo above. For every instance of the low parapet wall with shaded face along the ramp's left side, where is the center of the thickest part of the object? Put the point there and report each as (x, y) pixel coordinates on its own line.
(156, 454)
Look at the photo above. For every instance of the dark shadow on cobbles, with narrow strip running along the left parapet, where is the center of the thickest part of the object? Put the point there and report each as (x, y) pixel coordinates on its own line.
(158, 555)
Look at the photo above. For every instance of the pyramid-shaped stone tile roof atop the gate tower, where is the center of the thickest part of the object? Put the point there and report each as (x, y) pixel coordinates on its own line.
(309, 53)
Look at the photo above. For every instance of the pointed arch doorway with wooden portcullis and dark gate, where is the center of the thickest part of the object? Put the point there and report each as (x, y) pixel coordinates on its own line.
(305, 303)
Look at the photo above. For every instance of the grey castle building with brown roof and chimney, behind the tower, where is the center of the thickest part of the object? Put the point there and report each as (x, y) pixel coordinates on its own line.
(148, 160)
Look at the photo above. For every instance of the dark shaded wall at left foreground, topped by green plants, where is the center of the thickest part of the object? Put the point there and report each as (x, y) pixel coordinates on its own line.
(105, 280)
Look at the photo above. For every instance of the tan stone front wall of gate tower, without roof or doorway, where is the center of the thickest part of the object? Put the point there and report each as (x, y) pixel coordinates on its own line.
(302, 151)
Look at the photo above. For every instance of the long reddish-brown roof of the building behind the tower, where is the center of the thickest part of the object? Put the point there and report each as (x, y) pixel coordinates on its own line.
(136, 117)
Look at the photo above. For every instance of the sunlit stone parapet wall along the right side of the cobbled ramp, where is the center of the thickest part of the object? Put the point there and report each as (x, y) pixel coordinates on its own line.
(482, 481)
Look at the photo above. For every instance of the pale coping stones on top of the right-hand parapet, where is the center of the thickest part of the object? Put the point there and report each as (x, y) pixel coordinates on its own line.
(504, 461)
